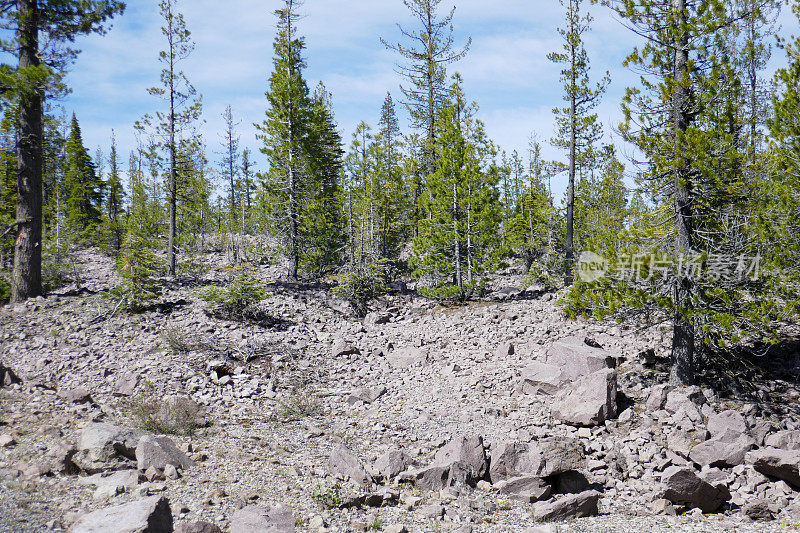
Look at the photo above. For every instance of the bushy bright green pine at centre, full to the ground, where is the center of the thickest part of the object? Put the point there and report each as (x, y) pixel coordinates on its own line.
(460, 239)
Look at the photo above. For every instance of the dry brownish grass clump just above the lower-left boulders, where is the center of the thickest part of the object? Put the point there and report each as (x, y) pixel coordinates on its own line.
(171, 416)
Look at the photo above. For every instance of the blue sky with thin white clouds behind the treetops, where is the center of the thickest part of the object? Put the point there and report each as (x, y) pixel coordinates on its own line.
(506, 71)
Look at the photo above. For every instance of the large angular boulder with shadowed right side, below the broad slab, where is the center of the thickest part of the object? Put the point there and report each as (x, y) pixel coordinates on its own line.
(590, 401)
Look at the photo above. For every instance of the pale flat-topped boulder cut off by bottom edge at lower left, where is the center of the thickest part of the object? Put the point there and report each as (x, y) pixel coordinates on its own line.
(150, 515)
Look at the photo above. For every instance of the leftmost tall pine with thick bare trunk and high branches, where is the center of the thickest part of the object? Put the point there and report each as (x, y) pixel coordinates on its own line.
(42, 31)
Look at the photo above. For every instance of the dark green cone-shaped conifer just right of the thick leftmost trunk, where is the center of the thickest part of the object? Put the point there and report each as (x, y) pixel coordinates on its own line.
(83, 188)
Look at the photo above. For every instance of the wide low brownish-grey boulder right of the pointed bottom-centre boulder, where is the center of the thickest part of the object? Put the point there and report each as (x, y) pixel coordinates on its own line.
(542, 458)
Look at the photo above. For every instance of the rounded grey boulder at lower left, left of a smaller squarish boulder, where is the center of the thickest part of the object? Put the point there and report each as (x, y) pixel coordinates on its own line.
(103, 446)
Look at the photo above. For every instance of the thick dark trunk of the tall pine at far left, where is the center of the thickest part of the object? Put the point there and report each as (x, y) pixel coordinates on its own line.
(27, 276)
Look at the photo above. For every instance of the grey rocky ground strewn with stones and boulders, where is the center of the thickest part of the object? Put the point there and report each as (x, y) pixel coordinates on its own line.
(498, 416)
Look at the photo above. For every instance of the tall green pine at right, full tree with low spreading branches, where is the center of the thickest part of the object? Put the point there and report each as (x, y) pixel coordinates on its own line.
(687, 122)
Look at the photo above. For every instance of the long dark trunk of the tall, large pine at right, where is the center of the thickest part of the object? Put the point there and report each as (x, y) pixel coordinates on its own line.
(682, 370)
